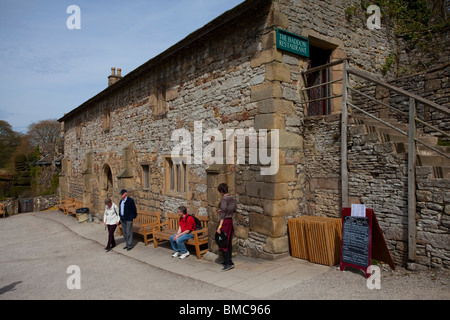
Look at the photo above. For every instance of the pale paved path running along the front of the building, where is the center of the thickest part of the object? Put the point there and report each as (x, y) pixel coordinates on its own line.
(37, 248)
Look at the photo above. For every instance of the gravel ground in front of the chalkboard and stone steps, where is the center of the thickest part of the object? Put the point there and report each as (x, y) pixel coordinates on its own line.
(399, 284)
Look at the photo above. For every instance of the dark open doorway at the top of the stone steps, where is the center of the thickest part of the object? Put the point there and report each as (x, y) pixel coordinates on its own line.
(319, 57)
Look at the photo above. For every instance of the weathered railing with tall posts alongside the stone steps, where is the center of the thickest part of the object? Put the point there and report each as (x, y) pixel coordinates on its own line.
(413, 119)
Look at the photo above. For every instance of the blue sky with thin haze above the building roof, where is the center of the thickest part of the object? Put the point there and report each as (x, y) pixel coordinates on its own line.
(48, 69)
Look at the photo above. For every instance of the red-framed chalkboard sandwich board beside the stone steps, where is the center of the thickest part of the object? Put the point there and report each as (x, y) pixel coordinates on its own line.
(362, 240)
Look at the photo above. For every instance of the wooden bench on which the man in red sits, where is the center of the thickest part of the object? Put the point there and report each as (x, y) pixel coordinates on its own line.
(170, 227)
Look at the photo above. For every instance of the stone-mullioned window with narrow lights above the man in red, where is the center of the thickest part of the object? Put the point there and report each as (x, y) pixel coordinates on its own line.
(176, 177)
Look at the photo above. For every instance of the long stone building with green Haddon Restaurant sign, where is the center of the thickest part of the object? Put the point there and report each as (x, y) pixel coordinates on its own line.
(230, 74)
